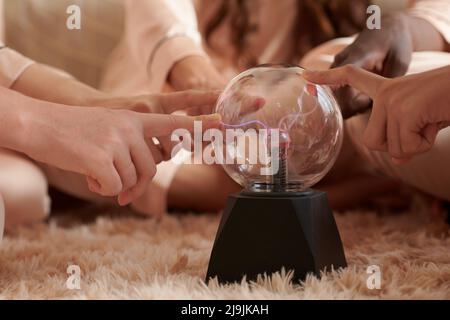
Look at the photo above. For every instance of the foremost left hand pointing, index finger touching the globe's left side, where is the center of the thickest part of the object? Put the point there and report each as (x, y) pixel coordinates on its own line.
(107, 146)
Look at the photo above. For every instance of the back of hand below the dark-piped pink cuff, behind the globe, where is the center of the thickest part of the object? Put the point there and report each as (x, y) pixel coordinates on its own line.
(195, 72)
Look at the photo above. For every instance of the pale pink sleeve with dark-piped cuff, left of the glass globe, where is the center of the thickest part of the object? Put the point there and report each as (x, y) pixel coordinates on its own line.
(157, 35)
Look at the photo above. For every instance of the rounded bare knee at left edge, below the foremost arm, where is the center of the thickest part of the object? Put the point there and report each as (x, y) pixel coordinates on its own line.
(24, 190)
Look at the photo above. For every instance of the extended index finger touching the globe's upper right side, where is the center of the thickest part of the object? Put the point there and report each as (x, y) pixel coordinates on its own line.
(360, 79)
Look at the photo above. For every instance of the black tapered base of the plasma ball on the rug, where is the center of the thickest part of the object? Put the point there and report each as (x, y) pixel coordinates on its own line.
(263, 233)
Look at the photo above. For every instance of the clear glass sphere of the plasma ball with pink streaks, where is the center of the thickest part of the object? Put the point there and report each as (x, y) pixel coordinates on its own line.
(307, 116)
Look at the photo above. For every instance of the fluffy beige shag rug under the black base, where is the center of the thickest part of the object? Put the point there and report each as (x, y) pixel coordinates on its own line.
(124, 256)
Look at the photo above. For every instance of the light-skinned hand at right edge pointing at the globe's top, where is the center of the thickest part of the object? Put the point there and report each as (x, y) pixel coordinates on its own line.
(407, 112)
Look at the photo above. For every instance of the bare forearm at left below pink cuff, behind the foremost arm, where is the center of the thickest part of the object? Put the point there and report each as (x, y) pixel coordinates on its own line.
(49, 84)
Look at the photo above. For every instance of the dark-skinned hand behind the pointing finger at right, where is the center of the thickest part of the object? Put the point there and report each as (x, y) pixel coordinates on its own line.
(386, 52)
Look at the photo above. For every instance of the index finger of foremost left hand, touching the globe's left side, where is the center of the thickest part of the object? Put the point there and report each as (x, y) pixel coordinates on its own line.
(157, 125)
